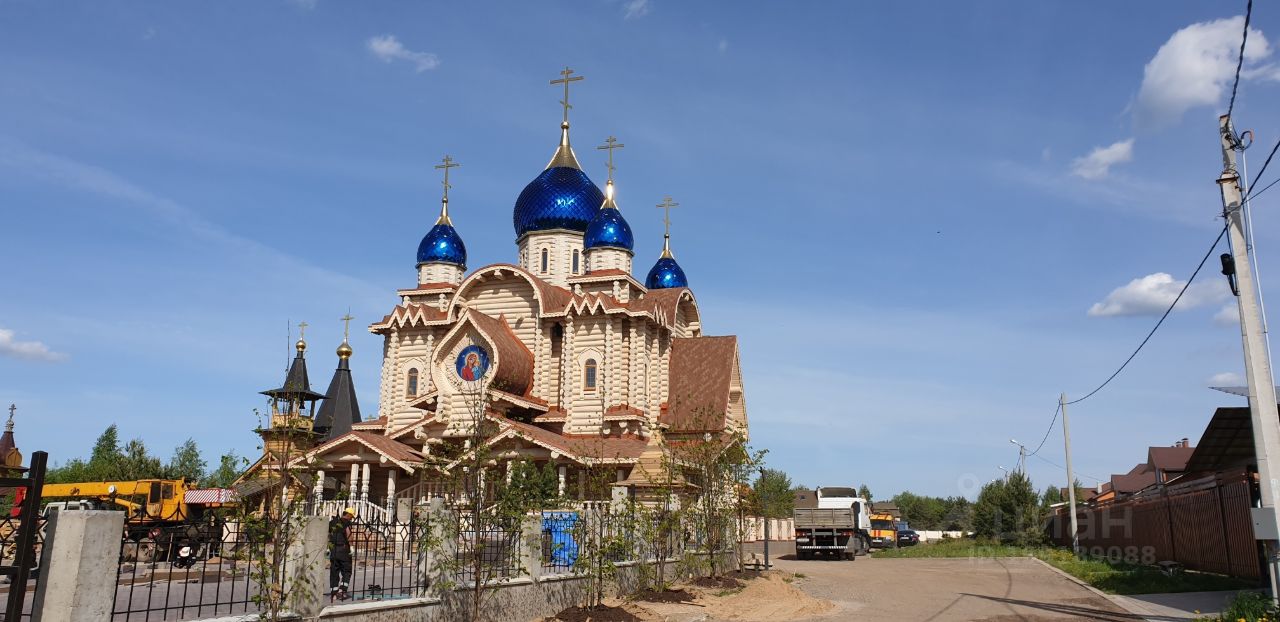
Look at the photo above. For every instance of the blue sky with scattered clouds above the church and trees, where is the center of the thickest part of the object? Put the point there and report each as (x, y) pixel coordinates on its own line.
(907, 213)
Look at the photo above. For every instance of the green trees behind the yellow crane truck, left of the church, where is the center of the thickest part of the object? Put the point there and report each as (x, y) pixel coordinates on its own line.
(113, 461)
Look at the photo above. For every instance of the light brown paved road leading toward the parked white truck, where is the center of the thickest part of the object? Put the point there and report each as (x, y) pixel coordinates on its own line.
(940, 591)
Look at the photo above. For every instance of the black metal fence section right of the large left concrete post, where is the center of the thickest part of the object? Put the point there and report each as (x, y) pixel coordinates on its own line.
(189, 571)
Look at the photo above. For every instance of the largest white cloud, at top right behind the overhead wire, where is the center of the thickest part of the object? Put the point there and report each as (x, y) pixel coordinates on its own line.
(1196, 68)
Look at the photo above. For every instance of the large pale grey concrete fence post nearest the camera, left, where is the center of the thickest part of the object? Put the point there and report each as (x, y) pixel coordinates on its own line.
(79, 568)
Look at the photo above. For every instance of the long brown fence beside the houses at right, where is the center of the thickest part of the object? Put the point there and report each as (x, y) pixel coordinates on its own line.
(1203, 524)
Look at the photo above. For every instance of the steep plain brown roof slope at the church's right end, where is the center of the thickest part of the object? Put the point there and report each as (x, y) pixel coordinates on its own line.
(702, 369)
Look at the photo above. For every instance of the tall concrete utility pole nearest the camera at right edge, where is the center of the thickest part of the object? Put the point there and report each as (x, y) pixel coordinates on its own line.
(1258, 367)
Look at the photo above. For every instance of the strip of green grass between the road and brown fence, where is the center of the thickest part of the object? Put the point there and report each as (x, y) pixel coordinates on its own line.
(1113, 578)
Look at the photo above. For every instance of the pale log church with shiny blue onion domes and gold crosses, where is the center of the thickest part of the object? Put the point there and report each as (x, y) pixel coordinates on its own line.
(574, 362)
